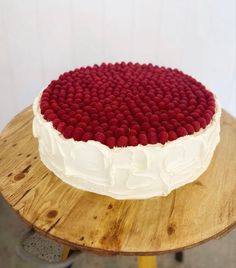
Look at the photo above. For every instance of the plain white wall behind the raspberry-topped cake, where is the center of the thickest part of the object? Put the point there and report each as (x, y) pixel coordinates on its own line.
(39, 39)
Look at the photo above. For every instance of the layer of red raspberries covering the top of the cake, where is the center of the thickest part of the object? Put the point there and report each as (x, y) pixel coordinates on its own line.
(126, 104)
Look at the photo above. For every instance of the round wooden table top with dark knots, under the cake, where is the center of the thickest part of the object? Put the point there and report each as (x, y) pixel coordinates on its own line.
(190, 215)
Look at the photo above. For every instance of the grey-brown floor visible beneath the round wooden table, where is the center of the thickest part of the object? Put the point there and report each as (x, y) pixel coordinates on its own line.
(216, 253)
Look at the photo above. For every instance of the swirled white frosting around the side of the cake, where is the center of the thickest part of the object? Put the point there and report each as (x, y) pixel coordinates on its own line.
(126, 173)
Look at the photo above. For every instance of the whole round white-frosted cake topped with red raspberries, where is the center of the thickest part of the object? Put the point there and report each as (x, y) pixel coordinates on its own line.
(126, 130)
